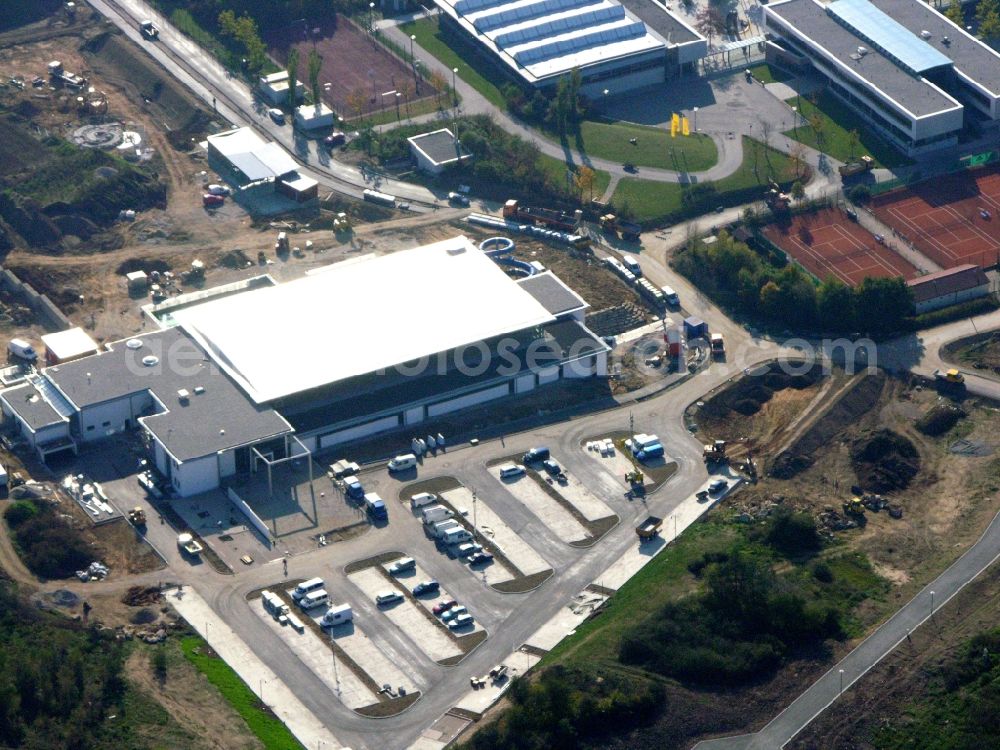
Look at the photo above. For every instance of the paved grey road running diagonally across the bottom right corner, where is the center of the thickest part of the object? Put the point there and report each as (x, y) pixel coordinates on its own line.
(810, 704)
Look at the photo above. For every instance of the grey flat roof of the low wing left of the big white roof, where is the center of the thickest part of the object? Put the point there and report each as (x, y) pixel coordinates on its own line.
(220, 418)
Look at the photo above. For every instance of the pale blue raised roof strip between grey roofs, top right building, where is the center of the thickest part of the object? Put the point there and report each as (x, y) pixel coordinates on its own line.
(888, 36)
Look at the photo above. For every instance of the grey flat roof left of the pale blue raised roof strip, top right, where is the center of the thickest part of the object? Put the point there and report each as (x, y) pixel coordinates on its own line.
(912, 93)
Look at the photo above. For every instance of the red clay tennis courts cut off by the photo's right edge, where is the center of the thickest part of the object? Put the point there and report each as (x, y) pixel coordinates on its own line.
(953, 219)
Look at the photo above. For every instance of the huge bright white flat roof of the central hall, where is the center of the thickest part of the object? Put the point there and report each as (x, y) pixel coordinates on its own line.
(360, 316)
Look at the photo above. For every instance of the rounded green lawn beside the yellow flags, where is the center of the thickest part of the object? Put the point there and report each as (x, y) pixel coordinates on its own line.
(653, 148)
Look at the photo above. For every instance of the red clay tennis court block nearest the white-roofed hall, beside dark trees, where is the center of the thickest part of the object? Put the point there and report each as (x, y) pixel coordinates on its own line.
(827, 243)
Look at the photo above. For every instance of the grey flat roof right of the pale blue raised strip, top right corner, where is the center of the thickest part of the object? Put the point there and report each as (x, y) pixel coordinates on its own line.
(975, 59)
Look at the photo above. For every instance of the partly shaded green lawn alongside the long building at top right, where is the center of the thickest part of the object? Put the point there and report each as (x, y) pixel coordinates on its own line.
(836, 123)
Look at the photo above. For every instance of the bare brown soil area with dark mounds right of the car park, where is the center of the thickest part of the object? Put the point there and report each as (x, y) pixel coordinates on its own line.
(869, 435)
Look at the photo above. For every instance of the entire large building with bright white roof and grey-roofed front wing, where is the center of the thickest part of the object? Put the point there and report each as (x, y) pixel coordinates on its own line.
(360, 347)
